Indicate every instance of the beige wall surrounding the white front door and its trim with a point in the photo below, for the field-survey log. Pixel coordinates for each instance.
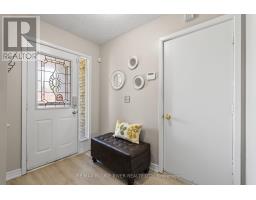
(62, 38)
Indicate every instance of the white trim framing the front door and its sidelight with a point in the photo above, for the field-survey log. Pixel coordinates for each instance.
(24, 100)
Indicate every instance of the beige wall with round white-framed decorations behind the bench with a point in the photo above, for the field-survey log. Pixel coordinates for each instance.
(144, 43)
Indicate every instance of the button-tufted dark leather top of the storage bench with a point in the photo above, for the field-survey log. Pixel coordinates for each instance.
(122, 146)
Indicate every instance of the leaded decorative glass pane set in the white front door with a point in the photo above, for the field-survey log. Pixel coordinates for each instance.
(53, 82)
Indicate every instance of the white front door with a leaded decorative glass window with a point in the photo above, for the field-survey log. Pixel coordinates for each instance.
(51, 106)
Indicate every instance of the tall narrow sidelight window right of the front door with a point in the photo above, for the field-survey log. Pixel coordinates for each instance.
(83, 99)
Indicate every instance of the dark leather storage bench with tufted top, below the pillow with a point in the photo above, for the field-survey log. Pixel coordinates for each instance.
(121, 156)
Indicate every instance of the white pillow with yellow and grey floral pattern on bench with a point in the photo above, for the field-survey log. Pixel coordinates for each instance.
(130, 132)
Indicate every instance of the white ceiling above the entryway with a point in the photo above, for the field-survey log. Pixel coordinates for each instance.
(98, 28)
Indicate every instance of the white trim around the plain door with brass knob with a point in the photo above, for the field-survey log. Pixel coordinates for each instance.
(237, 104)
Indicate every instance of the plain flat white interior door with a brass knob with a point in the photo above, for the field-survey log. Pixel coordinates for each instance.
(198, 94)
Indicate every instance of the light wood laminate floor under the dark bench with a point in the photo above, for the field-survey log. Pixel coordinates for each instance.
(80, 170)
